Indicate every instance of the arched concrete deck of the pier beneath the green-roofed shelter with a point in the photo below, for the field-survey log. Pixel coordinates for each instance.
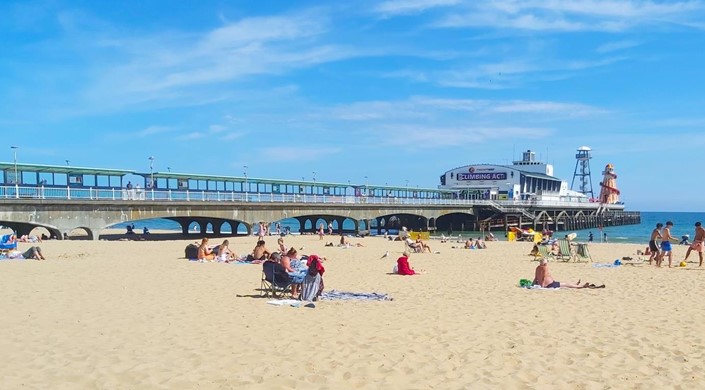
(61, 216)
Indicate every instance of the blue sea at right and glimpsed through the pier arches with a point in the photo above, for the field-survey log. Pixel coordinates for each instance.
(683, 223)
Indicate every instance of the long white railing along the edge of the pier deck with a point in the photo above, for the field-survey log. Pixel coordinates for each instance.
(117, 194)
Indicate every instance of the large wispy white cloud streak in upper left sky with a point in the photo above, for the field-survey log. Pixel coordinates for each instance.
(177, 67)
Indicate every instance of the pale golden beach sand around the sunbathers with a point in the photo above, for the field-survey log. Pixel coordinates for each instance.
(137, 315)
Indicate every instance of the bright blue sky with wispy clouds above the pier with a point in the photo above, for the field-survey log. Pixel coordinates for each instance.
(393, 90)
